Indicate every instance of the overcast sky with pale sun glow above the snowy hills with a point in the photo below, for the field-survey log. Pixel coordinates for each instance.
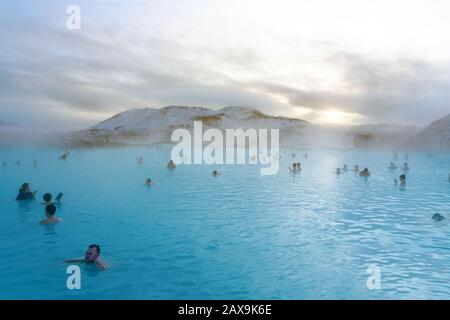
(331, 62)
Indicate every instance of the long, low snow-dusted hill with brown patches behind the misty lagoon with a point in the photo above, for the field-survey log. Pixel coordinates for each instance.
(147, 125)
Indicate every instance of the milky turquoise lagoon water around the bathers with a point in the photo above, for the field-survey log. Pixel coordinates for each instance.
(237, 236)
